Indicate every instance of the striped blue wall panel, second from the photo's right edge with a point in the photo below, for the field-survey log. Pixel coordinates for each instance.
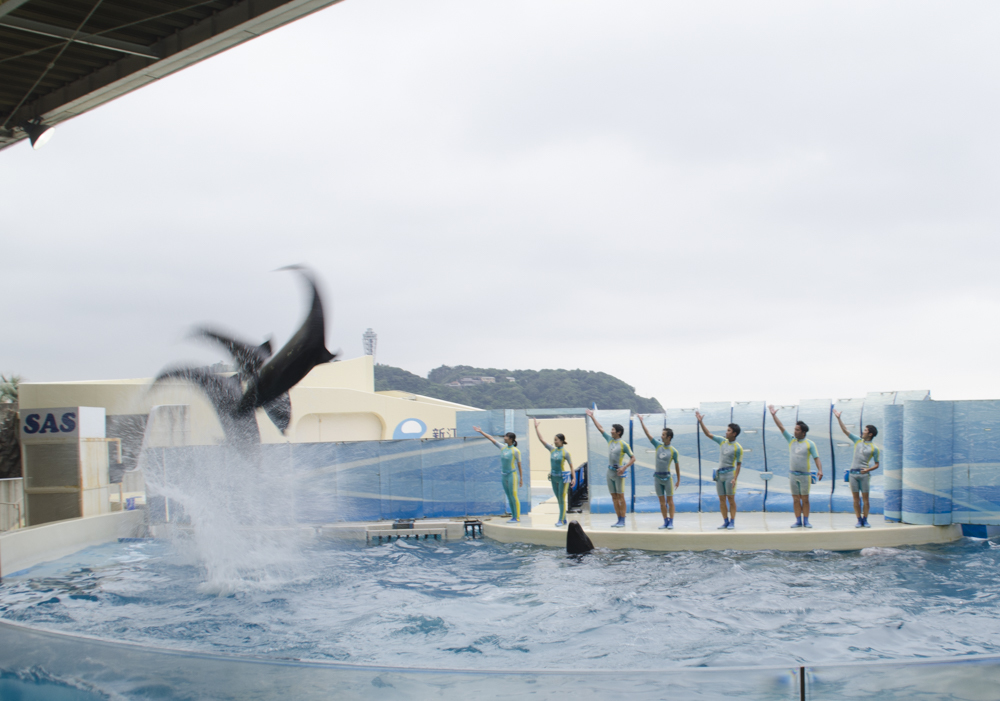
(927, 462)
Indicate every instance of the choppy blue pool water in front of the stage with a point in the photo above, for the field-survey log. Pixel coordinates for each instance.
(477, 603)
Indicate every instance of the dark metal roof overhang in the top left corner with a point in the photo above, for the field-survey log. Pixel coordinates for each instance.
(61, 58)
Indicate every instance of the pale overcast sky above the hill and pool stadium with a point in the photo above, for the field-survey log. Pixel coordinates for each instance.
(711, 200)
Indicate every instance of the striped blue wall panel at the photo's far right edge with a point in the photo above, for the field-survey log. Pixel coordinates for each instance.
(976, 466)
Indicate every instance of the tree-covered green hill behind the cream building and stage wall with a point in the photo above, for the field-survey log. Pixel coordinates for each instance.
(531, 389)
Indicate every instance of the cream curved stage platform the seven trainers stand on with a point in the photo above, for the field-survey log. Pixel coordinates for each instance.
(699, 531)
